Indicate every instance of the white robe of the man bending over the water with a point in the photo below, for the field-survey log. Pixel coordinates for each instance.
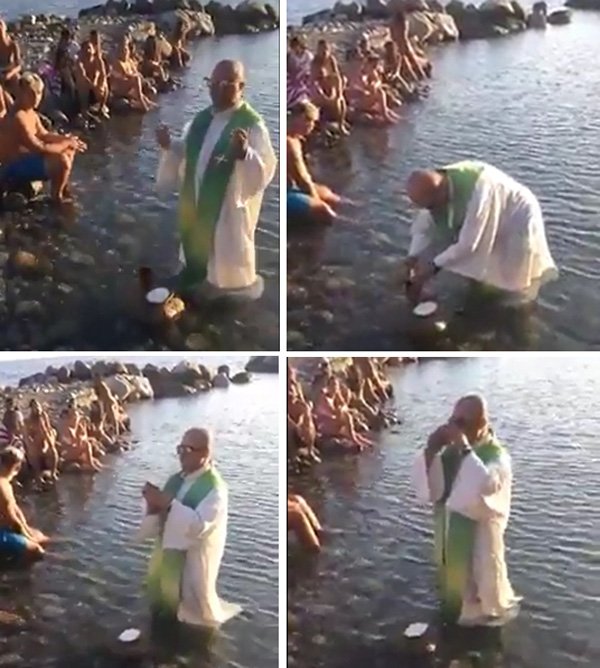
(502, 241)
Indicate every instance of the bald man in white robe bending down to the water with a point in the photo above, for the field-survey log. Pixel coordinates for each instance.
(479, 223)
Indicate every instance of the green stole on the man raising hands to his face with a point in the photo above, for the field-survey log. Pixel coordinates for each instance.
(455, 533)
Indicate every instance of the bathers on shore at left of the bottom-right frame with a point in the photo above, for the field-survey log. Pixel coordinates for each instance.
(336, 412)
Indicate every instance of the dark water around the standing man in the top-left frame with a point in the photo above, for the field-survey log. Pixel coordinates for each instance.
(93, 252)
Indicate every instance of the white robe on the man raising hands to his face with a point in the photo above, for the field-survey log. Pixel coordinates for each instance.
(481, 493)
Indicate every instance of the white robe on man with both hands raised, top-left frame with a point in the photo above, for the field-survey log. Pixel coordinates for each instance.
(232, 264)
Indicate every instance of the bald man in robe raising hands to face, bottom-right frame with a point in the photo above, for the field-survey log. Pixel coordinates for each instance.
(466, 474)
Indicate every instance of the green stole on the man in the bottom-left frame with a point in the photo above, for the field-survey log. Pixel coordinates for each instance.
(165, 571)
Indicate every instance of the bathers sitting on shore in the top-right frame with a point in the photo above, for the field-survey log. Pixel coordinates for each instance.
(370, 87)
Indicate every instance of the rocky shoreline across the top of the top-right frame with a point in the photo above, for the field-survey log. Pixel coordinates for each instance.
(429, 21)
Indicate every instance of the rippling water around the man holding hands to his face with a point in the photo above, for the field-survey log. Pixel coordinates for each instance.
(350, 605)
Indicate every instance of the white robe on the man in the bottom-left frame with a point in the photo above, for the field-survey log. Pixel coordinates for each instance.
(202, 533)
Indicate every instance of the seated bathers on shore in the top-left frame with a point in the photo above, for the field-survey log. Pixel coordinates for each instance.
(85, 82)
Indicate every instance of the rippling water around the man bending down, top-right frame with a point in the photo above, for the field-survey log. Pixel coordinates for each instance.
(524, 104)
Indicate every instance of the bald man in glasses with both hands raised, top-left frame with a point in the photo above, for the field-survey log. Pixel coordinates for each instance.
(223, 163)
